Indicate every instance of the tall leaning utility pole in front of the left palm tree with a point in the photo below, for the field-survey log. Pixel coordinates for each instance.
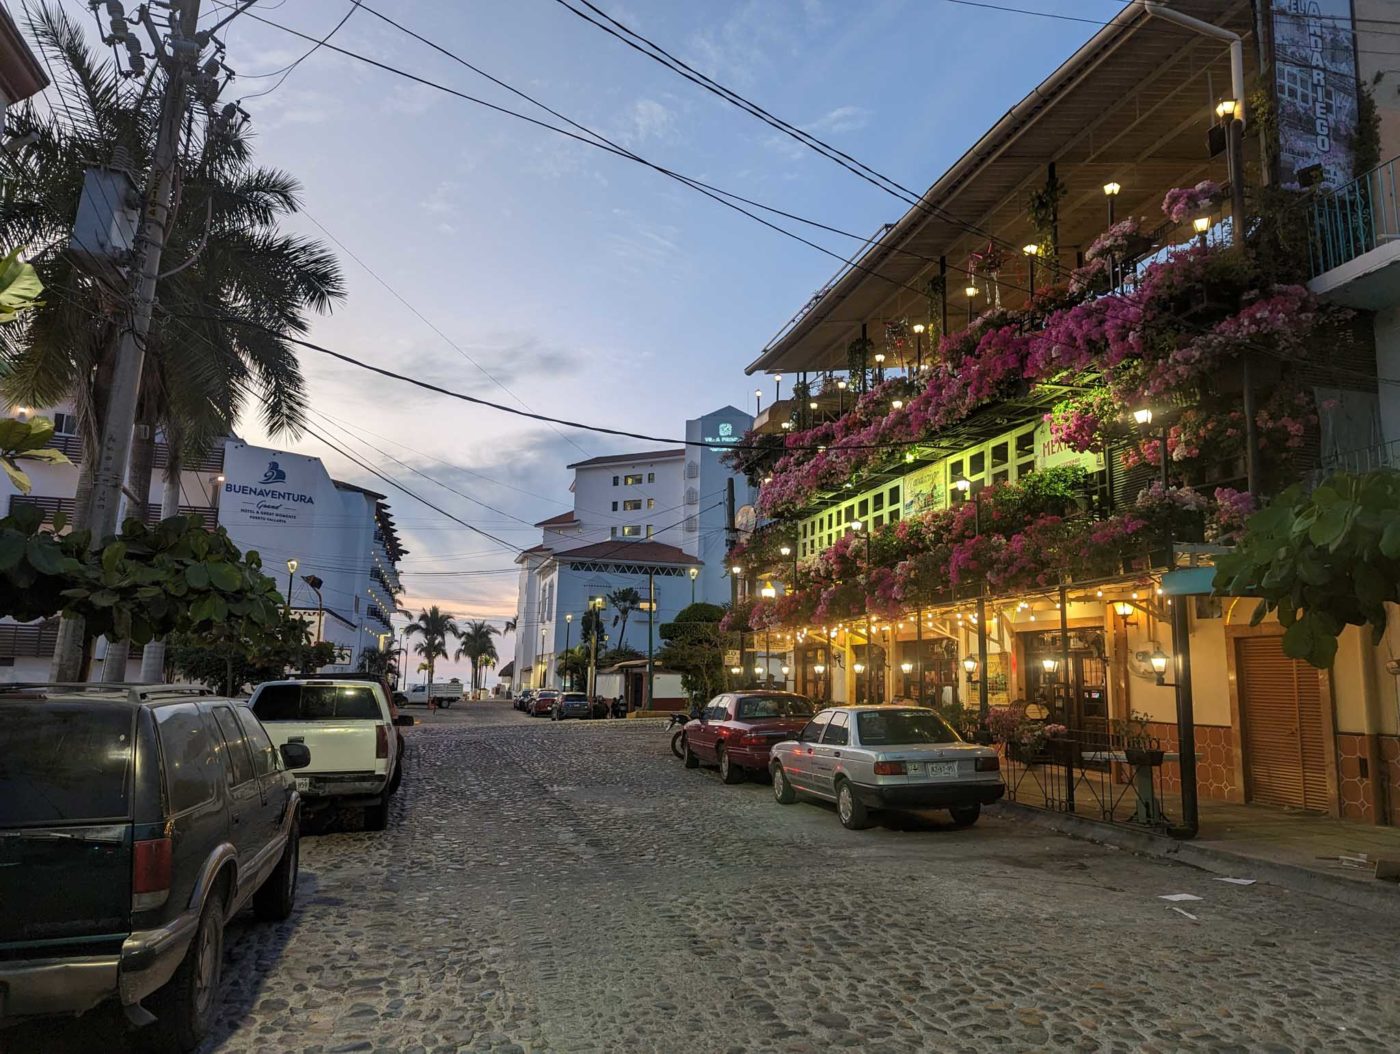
(180, 62)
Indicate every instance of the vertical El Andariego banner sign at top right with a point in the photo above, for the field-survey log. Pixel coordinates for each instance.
(1315, 79)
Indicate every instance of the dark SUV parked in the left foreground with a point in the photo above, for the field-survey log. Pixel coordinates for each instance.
(134, 824)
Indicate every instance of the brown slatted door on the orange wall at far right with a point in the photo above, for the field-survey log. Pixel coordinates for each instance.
(1284, 734)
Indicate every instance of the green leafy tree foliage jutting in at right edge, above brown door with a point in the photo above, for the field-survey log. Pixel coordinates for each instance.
(1322, 562)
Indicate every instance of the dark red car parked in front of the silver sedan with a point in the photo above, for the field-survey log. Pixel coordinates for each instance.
(737, 730)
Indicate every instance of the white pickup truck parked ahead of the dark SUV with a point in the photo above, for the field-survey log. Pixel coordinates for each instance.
(349, 726)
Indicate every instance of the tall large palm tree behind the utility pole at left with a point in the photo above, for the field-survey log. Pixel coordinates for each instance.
(232, 290)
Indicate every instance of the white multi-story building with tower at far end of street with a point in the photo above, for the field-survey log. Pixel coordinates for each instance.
(652, 520)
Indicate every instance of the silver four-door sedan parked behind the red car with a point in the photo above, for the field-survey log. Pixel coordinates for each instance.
(887, 758)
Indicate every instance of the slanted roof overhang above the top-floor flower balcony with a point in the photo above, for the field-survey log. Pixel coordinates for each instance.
(1130, 107)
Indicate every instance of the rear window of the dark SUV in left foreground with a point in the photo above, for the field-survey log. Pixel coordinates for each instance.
(65, 762)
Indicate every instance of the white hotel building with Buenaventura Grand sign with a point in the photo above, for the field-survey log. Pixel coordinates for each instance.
(283, 506)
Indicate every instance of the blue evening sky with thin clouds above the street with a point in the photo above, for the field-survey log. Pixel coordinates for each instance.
(589, 286)
